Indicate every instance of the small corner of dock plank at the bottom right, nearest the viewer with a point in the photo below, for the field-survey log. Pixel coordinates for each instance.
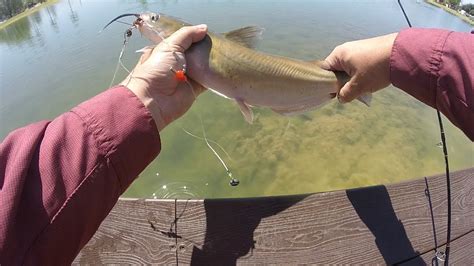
(461, 252)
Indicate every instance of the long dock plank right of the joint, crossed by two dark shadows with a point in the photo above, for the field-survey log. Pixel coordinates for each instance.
(383, 225)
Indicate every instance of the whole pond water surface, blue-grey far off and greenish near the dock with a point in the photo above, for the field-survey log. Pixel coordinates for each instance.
(54, 59)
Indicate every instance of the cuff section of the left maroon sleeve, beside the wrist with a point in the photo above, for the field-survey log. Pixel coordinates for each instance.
(125, 131)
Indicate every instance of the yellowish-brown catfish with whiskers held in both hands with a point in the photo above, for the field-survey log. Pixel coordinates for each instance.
(228, 65)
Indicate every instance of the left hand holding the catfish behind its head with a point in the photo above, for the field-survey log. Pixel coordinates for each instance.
(155, 84)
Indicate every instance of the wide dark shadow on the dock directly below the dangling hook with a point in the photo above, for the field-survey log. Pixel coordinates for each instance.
(230, 226)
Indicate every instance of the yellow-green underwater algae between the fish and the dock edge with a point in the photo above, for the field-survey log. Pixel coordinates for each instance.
(336, 147)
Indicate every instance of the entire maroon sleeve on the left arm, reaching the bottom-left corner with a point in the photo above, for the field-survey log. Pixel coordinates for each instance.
(59, 179)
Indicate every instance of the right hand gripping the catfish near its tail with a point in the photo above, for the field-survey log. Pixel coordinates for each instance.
(367, 62)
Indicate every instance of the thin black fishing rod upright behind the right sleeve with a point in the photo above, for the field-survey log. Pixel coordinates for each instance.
(439, 254)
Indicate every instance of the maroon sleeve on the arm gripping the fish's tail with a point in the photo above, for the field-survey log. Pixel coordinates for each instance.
(437, 68)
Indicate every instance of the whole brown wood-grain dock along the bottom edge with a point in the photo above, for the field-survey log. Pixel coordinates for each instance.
(391, 224)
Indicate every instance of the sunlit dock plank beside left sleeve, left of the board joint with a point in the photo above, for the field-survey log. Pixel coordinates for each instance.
(127, 236)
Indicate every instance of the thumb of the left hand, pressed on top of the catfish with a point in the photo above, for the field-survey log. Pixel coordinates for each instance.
(186, 36)
